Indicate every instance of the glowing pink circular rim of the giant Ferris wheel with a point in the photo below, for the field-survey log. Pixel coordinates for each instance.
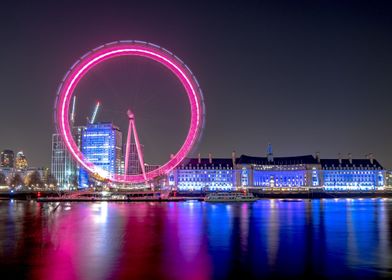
(127, 48)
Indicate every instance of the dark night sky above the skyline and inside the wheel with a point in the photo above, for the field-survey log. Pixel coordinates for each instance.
(306, 76)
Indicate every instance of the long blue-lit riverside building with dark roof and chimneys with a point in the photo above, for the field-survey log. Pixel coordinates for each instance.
(280, 172)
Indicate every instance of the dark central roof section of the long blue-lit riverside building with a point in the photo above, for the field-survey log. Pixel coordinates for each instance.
(307, 159)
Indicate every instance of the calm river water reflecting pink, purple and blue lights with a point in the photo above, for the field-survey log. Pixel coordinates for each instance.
(271, 238)
